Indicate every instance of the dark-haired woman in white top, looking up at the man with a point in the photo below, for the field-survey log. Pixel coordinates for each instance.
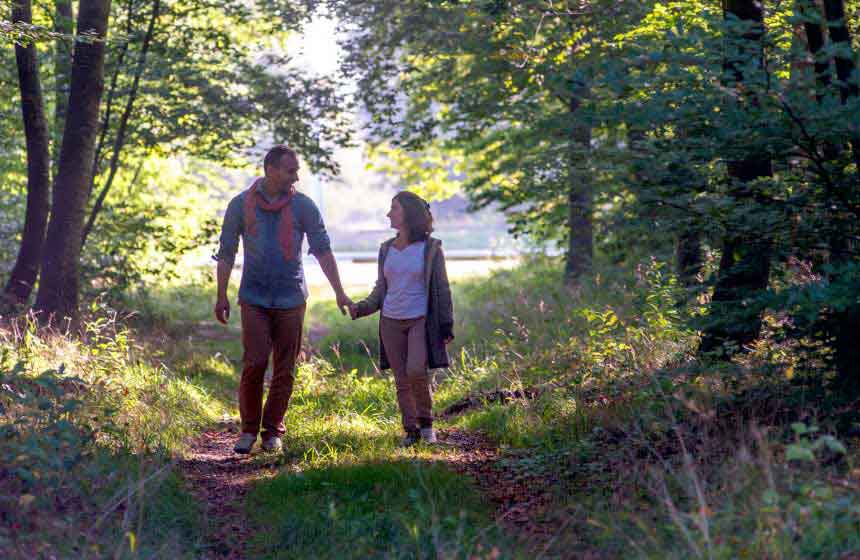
(417, 319)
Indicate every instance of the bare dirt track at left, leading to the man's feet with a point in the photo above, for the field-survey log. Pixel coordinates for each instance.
(220, 479)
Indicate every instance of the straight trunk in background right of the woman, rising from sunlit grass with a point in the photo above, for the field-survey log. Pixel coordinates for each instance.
(580, 204)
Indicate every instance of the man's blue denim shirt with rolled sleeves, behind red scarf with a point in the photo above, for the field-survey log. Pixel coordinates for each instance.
(268, 279)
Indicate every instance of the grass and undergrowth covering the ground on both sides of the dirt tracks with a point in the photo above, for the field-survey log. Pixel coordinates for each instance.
(648, 451)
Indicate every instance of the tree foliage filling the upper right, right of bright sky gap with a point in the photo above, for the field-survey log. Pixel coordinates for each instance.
(673, 97)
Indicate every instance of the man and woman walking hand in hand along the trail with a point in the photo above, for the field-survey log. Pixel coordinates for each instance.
(411, 291)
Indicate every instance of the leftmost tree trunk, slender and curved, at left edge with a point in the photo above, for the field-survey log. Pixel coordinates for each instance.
(26, 268)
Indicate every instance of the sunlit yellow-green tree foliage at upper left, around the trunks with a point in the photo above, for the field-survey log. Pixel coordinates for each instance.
(208, 87)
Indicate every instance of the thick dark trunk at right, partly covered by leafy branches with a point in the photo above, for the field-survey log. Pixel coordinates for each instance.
(745, 264)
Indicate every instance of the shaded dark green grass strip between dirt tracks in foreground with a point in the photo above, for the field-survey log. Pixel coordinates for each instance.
(390, 509)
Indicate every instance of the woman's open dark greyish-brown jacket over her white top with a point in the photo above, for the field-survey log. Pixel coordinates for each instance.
(440, 309)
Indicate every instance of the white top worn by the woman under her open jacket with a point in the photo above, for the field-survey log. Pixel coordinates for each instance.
(405, 297)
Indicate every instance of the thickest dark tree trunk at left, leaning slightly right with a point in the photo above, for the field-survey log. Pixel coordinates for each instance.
(58, 290)
